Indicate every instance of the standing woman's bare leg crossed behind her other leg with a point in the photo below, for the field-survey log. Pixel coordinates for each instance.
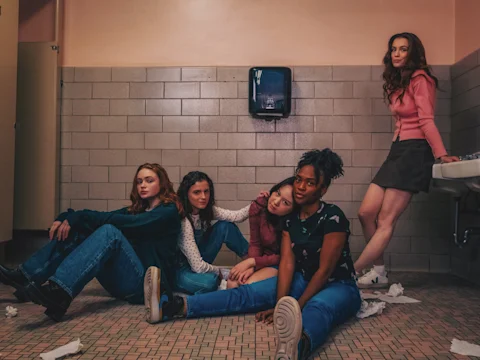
(368, 213)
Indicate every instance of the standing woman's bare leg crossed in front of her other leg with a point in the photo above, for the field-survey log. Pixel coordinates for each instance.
(394, 203)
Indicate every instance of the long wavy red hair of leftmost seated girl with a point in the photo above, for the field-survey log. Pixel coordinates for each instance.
(166, 194)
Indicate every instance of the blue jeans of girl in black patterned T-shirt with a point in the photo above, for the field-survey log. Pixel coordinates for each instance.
(333, 305)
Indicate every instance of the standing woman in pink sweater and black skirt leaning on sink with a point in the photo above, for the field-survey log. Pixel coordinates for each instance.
(409, 89)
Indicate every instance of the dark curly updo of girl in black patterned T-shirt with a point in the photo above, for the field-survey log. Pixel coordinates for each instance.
(326, 164)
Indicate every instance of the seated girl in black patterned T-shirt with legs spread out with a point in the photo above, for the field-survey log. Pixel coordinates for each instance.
(315, 269)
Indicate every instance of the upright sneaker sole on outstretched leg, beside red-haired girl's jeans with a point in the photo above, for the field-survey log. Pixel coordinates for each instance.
(151, 293)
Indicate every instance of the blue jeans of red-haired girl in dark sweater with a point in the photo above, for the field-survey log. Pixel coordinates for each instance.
(106, 254)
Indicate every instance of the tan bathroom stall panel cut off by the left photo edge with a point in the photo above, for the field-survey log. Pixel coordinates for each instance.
(8, 85)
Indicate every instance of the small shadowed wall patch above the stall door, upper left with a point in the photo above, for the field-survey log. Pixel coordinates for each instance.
(36, 21)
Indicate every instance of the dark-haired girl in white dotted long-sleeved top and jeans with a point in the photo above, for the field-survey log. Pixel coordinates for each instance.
(200, 241)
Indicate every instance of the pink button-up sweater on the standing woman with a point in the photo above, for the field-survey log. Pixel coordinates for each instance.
(414, 116)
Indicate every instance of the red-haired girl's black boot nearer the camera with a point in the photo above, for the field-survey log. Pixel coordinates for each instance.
(51, 296)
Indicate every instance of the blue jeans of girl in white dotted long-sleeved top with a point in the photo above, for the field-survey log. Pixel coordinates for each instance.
(223, 232)
